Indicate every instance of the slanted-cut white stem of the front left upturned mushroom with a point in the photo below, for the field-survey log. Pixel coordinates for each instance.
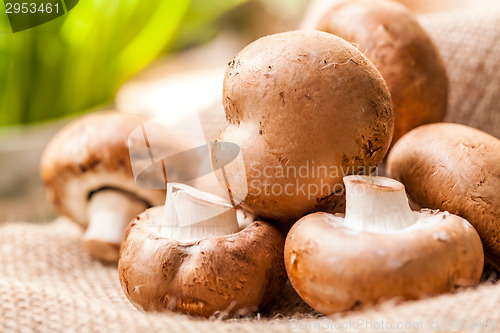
(192, 215)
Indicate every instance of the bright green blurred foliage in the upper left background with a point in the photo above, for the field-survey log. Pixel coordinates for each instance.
(78, 61)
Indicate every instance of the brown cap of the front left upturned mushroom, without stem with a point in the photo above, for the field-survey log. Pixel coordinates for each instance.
(232, 273)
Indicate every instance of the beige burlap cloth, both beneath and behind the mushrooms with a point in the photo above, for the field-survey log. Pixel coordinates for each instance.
(48, 284)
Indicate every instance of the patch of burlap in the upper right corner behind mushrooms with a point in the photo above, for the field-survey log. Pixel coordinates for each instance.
(469, 43)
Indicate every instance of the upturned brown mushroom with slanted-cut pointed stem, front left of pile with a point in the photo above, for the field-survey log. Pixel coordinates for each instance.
(192, 256)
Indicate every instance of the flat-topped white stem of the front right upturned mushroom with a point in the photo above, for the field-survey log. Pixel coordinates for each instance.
(377, 204)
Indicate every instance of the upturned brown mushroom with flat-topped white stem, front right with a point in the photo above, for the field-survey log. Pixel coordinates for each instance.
(381, 250)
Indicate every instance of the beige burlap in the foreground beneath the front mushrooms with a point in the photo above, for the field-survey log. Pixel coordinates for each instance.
(48, 284)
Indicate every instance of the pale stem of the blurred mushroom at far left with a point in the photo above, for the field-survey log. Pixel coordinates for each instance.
(109, 212)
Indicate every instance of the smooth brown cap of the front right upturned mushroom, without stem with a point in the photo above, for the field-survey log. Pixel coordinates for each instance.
(335, 269)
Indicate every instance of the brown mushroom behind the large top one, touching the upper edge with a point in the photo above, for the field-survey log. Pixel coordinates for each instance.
(403, 53)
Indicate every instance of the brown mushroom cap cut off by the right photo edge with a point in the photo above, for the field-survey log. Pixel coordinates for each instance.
(455, 168)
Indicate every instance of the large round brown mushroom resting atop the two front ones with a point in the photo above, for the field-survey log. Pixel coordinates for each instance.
(303, 99)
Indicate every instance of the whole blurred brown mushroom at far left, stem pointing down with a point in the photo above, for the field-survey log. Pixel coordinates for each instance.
(88, 177)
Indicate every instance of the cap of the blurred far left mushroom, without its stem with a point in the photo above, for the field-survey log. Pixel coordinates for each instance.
(88, 155)
